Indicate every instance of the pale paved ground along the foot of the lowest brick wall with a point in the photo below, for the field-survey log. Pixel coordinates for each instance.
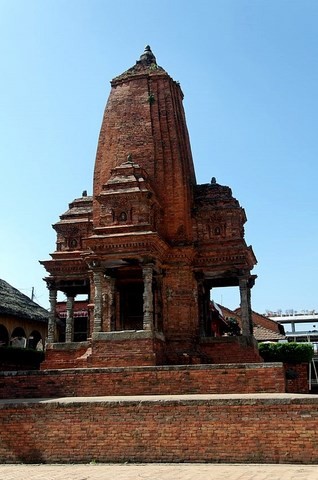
(167, 471)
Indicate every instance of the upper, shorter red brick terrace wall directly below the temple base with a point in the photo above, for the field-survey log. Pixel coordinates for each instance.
(177, 380)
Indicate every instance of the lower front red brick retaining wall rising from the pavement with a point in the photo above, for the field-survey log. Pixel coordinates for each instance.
(250, 429)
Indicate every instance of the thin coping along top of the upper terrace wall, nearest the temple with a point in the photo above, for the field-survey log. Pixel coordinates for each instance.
(157, 369)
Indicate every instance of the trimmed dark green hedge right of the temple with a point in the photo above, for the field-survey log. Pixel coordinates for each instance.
(291, 352)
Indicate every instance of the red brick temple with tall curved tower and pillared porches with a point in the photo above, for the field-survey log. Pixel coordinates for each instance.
(146, 250)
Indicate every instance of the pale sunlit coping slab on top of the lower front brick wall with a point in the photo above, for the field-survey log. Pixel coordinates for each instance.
(195, 399)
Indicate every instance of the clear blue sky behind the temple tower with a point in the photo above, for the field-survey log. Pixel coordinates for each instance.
(248, 69)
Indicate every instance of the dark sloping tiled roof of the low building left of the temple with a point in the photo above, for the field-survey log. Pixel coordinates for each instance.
(15, 303)
